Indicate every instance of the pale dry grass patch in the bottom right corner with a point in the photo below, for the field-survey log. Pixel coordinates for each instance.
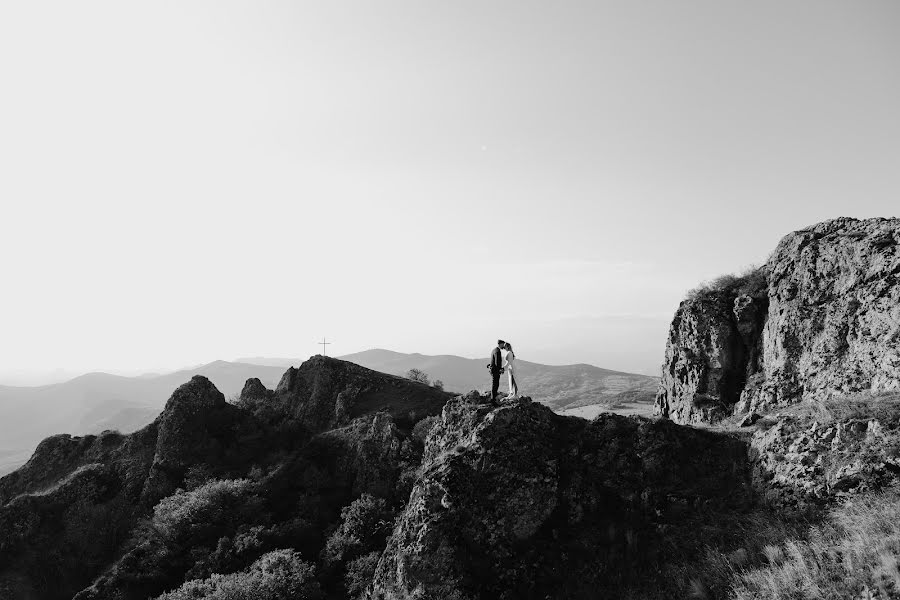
(854, 553)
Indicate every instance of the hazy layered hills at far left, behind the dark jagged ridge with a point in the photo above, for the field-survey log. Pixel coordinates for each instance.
(97, 401)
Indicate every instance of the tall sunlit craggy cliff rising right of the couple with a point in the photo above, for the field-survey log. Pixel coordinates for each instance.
(826, 323)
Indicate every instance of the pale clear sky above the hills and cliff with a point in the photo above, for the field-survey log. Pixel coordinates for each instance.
(184, 181)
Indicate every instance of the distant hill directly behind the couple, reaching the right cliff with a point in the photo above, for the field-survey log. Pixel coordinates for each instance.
(560, 387)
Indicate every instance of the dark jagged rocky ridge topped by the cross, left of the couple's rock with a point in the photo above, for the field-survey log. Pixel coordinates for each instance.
(73, 512)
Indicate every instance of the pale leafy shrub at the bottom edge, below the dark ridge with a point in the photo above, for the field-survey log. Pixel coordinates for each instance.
(278, 575)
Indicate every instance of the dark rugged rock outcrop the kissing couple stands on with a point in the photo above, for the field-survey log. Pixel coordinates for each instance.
(518, 502)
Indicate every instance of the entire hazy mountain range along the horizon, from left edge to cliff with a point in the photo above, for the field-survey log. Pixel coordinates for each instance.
(98, 401)
